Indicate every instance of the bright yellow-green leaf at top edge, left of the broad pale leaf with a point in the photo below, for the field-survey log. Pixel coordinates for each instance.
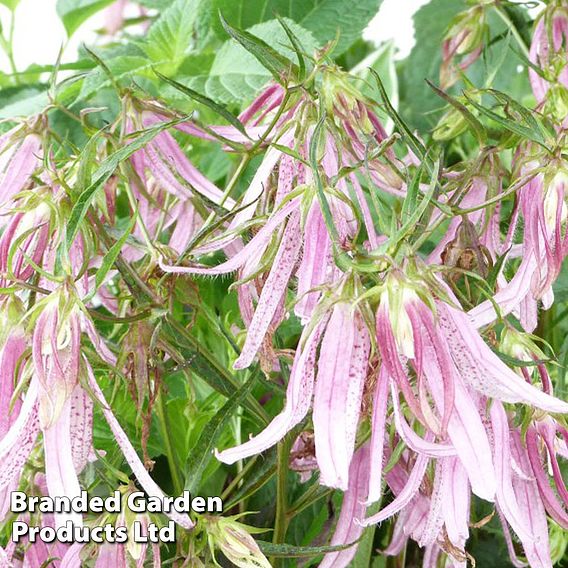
(171, 37)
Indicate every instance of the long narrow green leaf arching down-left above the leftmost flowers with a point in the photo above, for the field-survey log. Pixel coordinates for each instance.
(103, 173)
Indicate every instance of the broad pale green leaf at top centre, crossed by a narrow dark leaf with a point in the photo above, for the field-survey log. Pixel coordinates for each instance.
(236, 75)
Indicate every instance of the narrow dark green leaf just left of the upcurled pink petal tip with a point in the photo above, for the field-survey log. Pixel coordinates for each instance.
(202, 452)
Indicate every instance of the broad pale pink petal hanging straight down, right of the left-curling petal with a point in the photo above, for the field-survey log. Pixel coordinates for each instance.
(342, 369)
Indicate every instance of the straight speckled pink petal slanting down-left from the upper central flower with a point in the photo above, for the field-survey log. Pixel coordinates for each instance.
(273, 290)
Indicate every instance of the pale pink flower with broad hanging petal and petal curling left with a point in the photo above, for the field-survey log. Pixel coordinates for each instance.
(342, 368)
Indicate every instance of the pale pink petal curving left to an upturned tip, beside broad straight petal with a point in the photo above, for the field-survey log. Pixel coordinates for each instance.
(298, 400)
